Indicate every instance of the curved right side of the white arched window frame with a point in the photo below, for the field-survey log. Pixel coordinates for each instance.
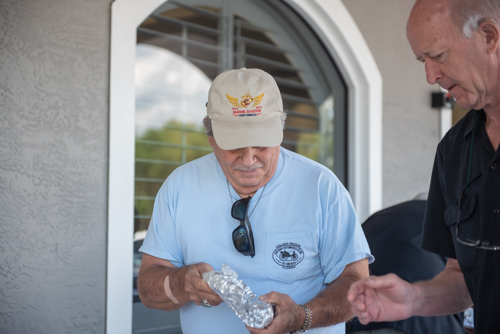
(338, 31)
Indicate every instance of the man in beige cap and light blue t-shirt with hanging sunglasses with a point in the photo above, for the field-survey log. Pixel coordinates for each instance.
(294, 238)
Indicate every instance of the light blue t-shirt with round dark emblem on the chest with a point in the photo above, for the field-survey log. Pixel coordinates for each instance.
(305, 231)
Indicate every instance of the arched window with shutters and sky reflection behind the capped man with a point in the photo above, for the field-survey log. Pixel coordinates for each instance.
(183, 45)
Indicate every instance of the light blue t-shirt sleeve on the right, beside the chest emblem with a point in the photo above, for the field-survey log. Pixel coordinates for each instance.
(342, 240)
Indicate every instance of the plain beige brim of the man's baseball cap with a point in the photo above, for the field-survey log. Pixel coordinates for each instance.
(231, 135)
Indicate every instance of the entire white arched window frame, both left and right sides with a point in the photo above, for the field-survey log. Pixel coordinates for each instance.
(339, 33)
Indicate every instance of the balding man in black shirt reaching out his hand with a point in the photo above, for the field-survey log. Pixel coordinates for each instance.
(459, 43)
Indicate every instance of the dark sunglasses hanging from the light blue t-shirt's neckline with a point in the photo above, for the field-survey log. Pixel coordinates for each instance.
(242, 235)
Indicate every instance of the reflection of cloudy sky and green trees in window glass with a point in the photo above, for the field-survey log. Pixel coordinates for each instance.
(170, 105)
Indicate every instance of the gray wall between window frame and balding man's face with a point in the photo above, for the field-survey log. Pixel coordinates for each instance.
(410, 126)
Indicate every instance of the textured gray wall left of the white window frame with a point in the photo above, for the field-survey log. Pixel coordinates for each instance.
(54, 69)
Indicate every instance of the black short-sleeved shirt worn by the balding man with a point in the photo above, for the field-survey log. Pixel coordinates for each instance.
(465, 192)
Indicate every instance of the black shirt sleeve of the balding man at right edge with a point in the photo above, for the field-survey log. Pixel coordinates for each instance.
(436, 235)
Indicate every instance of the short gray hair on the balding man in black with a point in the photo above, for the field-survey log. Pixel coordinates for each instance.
(469, 14)
